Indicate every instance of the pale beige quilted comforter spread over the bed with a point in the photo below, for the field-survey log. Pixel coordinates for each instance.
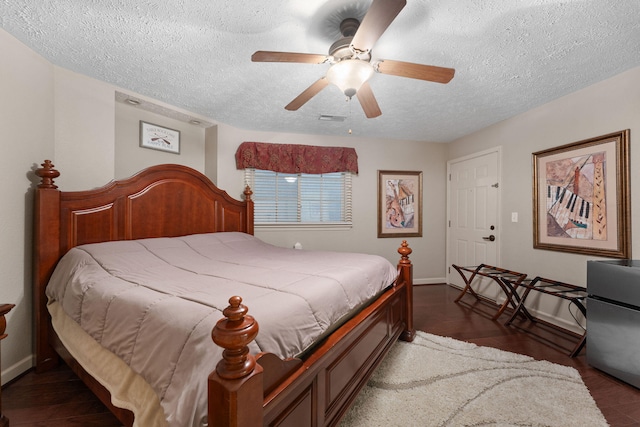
(153, 303)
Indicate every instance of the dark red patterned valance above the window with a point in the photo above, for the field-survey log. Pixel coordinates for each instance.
(292, 158)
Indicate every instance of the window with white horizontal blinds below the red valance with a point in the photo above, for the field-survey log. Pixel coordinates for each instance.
(283, 199)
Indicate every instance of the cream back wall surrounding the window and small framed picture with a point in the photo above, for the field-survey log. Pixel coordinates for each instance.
(373, 154)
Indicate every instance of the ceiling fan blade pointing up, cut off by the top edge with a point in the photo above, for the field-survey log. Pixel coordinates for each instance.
(375, 22)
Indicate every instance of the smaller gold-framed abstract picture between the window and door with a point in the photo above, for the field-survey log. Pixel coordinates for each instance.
(399, 204)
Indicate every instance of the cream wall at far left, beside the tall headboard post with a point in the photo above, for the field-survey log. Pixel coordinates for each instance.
(27, 123)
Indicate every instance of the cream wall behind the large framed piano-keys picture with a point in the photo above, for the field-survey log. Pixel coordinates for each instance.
(608, 106)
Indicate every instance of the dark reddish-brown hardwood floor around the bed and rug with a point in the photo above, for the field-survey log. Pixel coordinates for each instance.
(58, 398)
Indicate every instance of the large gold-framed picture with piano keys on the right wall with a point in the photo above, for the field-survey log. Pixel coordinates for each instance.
(581, 197)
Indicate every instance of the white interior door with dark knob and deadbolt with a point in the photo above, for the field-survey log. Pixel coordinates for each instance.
(473, 206)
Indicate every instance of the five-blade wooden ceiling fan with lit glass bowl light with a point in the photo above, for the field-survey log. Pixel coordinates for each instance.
(350, 57)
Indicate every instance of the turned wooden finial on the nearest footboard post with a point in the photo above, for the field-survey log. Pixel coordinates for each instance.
(233, 333)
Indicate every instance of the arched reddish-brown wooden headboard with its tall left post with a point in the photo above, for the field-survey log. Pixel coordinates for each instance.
(160, 201)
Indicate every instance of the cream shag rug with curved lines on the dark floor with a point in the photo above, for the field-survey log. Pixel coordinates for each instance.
(439, 381)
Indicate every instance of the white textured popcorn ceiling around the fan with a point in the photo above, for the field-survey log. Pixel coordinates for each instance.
(509, 57)
